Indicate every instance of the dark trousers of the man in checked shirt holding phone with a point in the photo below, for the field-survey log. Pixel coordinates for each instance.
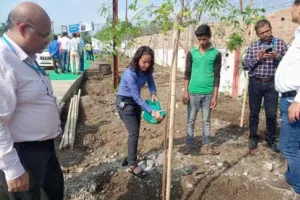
(259, 90)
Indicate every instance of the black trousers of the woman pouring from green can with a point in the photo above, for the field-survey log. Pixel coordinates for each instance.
(130, 114)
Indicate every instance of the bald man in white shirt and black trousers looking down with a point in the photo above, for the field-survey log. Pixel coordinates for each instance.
(29, 115)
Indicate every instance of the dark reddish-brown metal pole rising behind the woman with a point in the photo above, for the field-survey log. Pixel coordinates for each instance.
(115, 18)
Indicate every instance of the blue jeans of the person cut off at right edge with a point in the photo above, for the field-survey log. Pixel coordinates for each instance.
(289, 144)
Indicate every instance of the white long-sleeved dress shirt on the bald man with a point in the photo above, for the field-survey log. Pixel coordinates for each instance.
(28, 109)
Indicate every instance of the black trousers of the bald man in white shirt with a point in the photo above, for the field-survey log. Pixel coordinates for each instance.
(40, 162)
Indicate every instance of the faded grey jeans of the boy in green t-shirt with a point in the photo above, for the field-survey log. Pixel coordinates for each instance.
(196, 103)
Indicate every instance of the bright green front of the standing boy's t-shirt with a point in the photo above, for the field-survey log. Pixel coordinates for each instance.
(202, 73)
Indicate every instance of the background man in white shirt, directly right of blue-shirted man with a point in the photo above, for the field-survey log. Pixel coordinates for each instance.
(65, 56)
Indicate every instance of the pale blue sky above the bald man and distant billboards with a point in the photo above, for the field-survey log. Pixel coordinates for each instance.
(66, 12)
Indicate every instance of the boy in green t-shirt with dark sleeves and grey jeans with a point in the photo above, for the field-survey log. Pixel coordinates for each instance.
(202, 80)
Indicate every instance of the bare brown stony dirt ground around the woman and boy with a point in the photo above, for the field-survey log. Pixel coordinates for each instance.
(93, 169)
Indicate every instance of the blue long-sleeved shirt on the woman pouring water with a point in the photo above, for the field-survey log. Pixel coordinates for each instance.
(131, 84)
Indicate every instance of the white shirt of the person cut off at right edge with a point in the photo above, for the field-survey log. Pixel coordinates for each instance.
(287, 77)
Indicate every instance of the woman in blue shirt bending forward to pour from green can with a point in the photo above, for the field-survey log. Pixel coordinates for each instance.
(130, 104)
